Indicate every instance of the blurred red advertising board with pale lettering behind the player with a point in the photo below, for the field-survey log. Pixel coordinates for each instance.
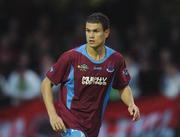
(159, 117)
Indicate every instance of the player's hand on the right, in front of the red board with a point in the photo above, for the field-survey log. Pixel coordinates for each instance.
(134, 111)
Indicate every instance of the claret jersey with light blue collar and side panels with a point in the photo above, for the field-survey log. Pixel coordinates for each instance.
(86, 85)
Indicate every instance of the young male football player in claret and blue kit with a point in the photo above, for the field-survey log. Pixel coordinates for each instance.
(86, 75)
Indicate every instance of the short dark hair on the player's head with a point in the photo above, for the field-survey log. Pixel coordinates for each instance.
(98, 17)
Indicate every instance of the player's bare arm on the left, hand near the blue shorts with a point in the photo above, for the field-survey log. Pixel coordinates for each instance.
(47, 94)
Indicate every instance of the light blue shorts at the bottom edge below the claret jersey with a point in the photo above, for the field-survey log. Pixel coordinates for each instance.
(72, 133)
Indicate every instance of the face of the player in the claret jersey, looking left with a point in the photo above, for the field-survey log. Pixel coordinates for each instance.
(95, 35)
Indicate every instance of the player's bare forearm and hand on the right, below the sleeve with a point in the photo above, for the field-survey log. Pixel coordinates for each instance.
(127, 98)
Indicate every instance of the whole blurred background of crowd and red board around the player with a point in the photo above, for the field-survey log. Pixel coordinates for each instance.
(34, 33)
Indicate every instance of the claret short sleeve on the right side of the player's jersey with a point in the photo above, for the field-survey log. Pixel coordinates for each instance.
(122, 76)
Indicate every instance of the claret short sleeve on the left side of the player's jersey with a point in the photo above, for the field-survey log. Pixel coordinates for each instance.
(58, 72)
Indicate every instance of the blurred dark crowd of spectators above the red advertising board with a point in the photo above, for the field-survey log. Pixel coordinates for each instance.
(34, 33)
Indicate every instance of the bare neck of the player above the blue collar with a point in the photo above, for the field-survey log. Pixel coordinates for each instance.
(96, 53)
